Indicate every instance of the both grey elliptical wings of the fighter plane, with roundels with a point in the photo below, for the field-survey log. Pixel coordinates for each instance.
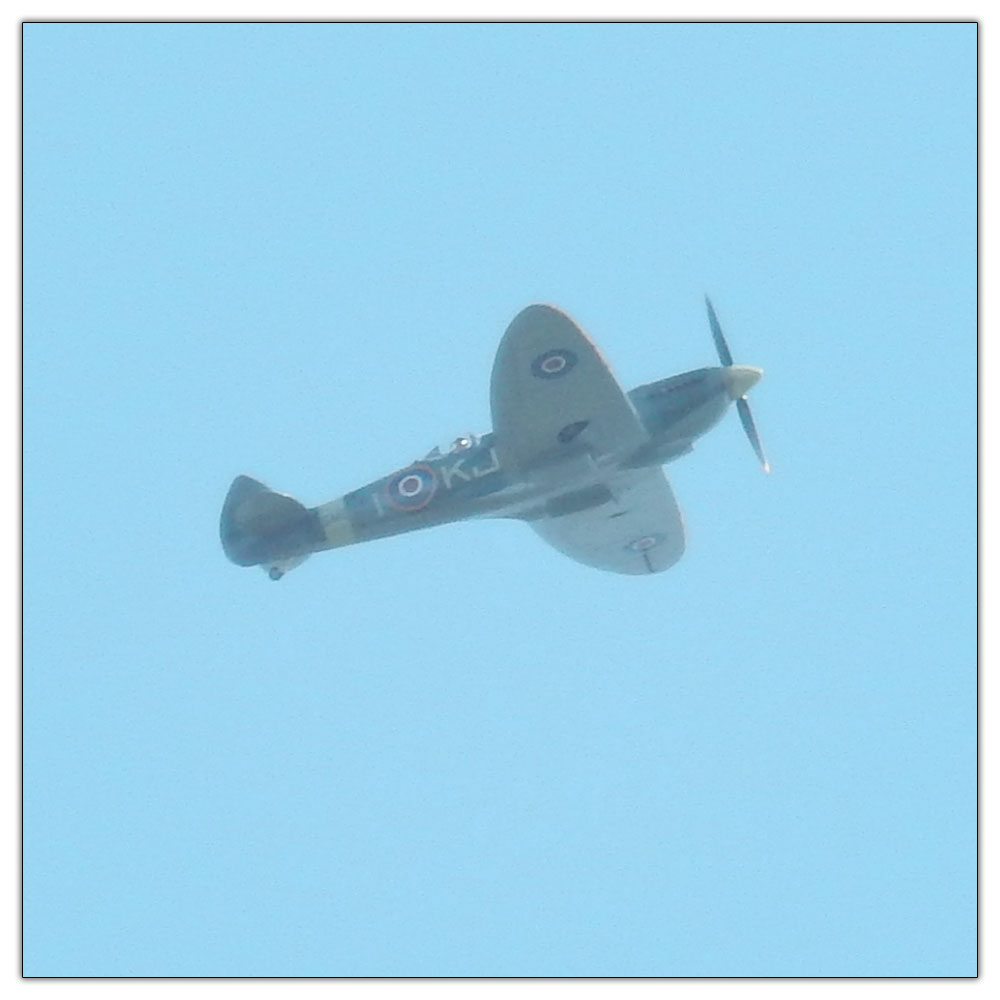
(563, 426)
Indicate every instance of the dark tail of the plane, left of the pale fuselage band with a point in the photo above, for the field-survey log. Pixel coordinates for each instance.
(261, 527)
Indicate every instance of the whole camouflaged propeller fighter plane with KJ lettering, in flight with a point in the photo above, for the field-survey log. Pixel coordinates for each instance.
(571, 453)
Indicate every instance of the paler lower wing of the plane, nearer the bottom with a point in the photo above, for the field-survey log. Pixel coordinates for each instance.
(635, 527)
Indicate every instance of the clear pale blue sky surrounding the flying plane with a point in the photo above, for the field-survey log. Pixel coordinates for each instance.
(290, 251)
